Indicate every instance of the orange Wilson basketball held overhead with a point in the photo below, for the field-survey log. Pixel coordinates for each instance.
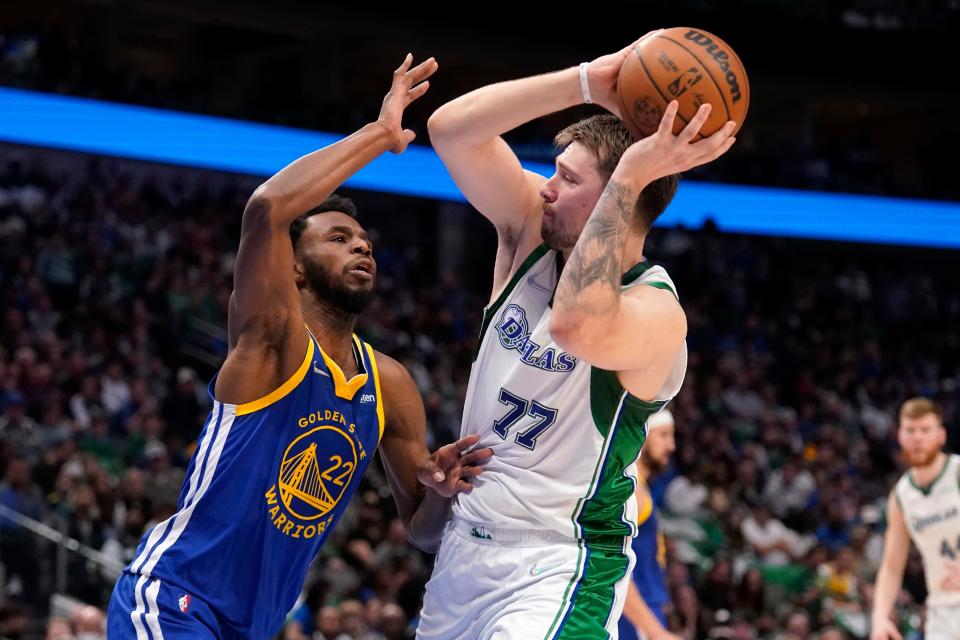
(687, 65)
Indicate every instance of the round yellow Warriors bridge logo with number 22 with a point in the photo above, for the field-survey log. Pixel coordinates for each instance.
(314, 475)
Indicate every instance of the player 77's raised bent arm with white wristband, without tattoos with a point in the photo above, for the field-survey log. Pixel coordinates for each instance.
(466, 133)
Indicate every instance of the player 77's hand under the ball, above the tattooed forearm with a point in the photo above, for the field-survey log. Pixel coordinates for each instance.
(663, 154)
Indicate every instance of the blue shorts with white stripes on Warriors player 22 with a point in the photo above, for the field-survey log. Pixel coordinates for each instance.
(143, 608)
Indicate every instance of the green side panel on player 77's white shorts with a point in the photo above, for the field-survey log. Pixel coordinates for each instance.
(588, 610)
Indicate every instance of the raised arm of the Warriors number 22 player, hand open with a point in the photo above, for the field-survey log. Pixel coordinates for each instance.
(265, 327)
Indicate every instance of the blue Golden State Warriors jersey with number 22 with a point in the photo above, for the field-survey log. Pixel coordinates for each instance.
(267, 482)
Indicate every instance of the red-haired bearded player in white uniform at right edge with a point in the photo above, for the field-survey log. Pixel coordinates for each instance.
(924, 506)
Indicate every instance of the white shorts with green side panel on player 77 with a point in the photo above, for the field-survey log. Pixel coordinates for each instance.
(509, 584)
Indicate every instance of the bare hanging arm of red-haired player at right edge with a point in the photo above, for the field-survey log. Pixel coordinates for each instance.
(896, 547)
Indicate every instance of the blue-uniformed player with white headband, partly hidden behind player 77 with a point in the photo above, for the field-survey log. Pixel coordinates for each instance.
(647, 595)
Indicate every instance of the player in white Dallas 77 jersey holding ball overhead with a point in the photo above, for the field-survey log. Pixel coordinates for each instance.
(582, 341)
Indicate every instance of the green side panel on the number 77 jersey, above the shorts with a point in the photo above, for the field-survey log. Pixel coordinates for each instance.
(621, 419)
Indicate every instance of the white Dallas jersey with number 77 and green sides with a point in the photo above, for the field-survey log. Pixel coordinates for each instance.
(565, 435)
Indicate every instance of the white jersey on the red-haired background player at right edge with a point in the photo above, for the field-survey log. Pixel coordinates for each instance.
(932, 517)
